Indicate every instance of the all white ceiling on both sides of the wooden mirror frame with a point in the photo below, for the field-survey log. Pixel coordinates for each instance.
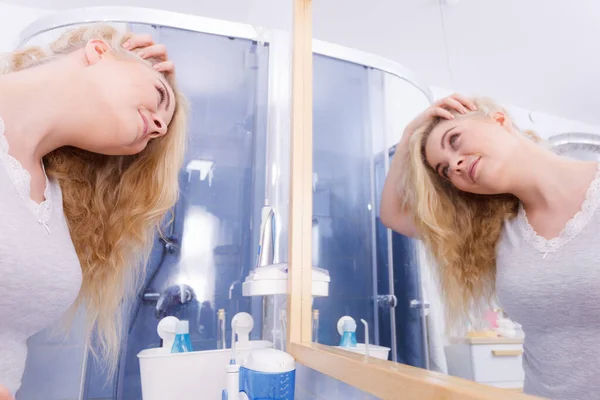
(539, 54)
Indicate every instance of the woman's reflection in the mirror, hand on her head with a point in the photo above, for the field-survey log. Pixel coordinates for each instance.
(503, 215)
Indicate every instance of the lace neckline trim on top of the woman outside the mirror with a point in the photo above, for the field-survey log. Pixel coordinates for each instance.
(22, 182)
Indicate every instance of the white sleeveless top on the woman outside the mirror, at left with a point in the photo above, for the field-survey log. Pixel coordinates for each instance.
(40, 274)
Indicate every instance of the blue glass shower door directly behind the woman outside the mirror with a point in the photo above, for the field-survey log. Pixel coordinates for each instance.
(212, 240)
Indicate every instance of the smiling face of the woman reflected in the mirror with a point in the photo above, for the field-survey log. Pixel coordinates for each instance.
(474, 153)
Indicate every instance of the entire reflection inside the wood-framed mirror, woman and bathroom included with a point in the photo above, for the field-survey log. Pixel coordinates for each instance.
(511, 269)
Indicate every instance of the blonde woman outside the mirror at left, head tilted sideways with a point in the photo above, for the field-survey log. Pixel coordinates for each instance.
(92, 133)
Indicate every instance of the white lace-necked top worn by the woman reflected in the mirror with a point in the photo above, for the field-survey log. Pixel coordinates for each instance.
(552, 288)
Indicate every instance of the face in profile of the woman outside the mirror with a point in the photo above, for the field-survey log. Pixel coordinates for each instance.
(132, 102)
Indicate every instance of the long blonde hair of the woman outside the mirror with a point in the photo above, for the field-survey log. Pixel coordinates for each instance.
(114, 205)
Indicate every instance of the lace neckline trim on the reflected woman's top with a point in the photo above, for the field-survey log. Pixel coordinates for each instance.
(572, 228)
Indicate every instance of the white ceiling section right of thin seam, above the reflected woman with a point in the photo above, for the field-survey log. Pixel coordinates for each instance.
(543, 54)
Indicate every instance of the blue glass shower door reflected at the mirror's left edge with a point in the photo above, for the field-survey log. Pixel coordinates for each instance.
(342, 209)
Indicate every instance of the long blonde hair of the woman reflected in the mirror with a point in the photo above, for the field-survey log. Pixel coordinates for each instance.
(460, 229)
